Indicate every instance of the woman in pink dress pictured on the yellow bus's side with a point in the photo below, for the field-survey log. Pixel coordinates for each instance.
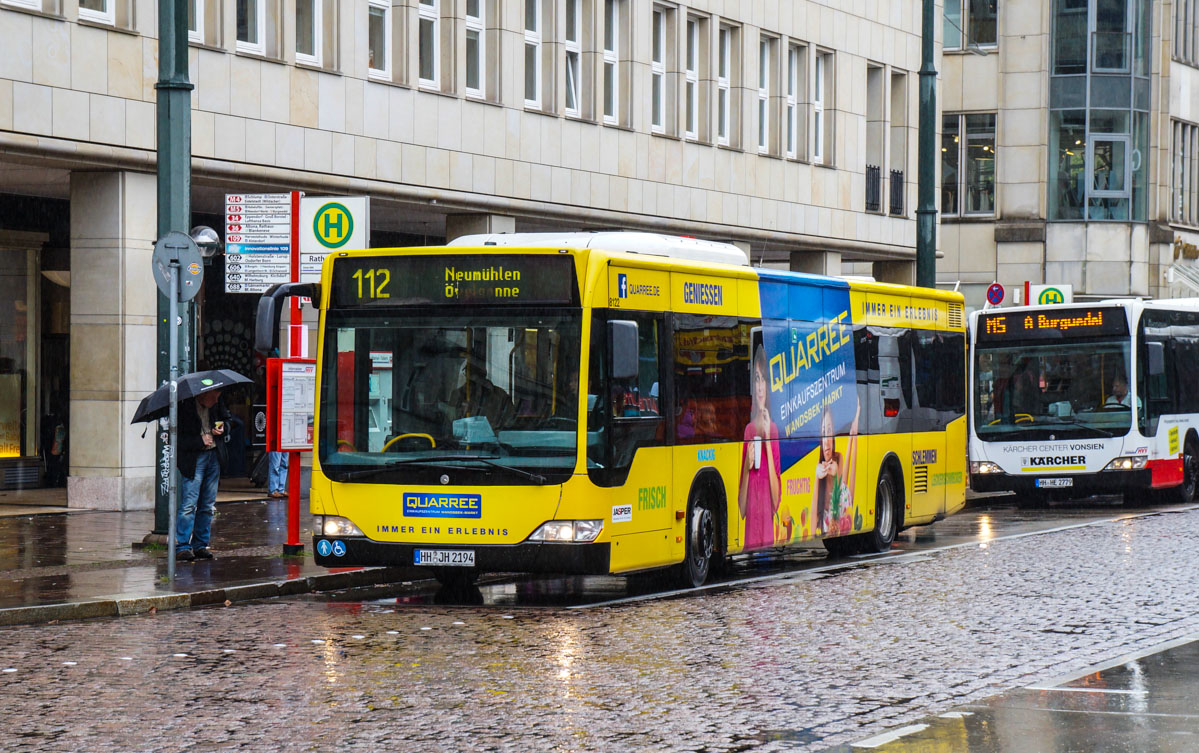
(761, 489)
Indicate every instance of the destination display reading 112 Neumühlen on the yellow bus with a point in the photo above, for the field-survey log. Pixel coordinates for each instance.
(451, 280)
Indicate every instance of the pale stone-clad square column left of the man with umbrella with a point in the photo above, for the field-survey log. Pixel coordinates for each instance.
(113, 309)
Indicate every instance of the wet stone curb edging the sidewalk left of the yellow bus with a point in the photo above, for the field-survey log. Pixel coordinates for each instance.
(128, 606)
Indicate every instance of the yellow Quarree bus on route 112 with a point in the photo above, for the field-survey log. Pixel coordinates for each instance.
(617, 403)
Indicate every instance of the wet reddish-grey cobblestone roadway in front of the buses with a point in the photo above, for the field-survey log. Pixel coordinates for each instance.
(802, 664)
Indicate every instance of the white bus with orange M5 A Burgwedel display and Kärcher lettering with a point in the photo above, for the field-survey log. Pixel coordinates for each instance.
(1077, 400)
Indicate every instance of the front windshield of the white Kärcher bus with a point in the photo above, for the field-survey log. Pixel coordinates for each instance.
(1071, 390)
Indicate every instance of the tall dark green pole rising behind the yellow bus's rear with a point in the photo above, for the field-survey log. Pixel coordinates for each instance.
(926, 207)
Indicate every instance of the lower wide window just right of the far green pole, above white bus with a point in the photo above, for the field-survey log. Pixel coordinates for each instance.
(969, 141)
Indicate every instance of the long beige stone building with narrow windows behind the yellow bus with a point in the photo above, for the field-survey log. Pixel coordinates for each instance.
(785, 126)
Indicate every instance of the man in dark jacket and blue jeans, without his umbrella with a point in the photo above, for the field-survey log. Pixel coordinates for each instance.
(202, 427)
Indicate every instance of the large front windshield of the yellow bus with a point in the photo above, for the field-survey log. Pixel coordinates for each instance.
(483, 397)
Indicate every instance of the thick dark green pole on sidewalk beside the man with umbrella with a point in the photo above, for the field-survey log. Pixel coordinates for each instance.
(174, 119)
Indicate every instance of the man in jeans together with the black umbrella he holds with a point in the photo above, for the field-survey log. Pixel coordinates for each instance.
(202, 436)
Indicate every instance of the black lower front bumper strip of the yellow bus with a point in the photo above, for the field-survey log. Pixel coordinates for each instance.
(586, 559)
